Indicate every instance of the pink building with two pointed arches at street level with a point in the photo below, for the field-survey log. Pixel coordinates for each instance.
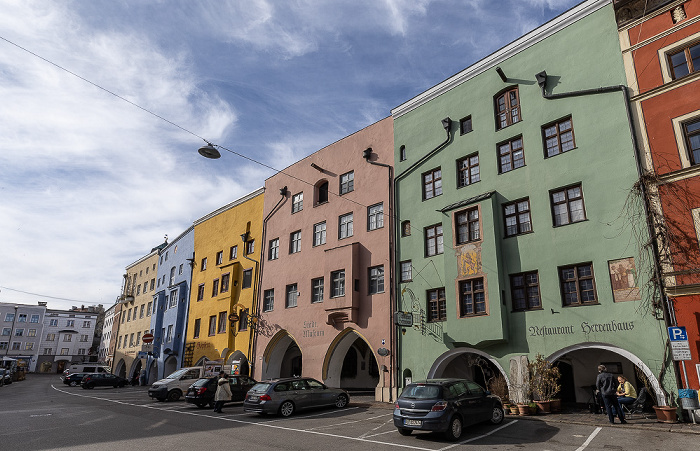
(326, 290)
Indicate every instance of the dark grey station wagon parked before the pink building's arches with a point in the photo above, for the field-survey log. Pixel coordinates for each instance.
(285, 396)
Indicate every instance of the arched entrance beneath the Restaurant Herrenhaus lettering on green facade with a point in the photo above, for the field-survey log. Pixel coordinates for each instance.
(584, 359)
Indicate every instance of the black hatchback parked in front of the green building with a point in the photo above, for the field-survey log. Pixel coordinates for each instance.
(445, 405)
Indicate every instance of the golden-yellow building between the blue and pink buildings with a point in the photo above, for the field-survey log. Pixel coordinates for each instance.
(227, 244)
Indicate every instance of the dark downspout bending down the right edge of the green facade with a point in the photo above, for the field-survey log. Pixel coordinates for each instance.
(668, 310)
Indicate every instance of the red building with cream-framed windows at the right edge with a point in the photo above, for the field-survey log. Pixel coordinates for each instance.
(660, 43)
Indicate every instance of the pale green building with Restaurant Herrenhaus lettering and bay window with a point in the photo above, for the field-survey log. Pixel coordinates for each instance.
(519, 232)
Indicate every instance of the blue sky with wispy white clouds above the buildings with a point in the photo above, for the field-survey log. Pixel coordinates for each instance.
(104, 103)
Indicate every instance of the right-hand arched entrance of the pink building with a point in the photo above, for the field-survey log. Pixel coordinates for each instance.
(350, 363)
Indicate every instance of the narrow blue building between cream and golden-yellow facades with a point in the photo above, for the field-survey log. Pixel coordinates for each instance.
(170, 306)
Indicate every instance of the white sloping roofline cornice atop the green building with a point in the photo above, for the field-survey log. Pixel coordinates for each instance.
(535, 36)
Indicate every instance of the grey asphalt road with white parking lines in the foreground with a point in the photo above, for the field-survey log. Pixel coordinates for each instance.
(41, 413)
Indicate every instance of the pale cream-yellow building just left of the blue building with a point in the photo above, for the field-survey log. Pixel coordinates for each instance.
(134, 320)
